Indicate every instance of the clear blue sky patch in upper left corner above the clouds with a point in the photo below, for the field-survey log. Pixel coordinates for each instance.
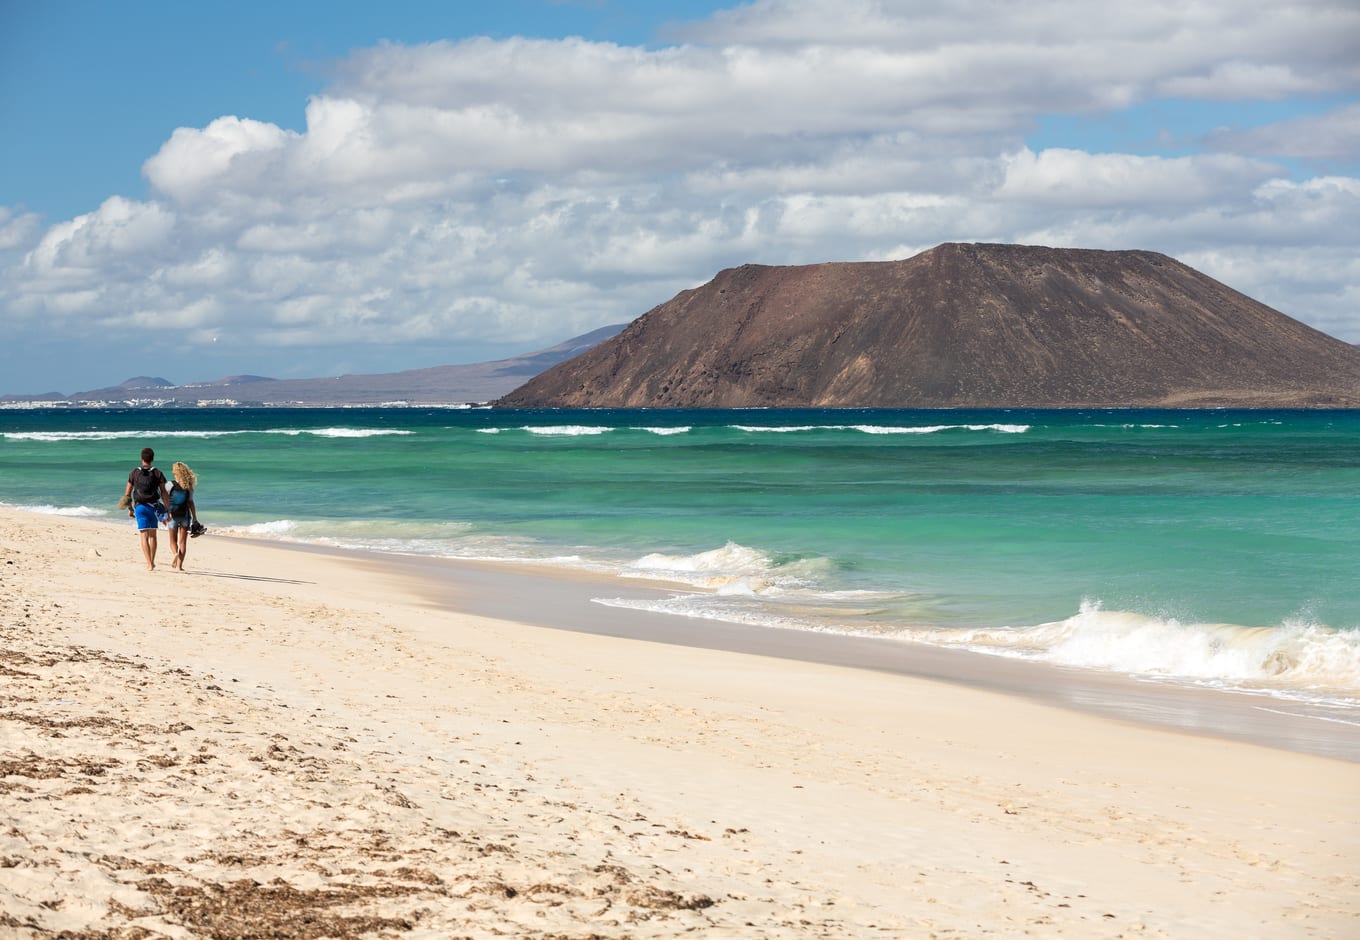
(92, 89)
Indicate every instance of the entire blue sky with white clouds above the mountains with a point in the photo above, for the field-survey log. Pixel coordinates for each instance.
(305, 190)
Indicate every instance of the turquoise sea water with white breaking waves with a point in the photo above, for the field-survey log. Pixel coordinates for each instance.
(1215, 548)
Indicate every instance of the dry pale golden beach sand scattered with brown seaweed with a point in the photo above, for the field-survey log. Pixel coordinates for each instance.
(282, 743)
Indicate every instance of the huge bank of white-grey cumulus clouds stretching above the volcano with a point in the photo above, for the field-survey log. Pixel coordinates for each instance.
(520, 191)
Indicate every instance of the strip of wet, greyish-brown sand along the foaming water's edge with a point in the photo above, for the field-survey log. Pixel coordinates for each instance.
(562, 599)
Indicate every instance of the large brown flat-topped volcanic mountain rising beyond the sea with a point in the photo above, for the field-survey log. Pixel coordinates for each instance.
(961, 327)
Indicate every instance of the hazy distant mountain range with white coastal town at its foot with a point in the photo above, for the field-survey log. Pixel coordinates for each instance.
(474, 383)
